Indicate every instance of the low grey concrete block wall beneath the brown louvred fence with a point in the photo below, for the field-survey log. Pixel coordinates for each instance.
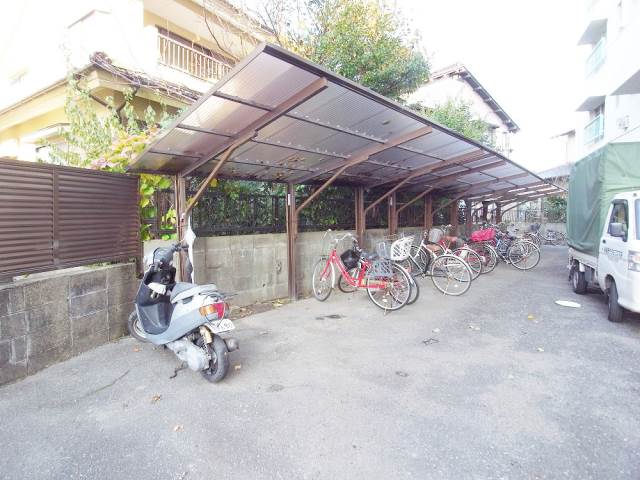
(50, 317)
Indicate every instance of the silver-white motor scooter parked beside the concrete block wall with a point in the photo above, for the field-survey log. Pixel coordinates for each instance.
(186, 318)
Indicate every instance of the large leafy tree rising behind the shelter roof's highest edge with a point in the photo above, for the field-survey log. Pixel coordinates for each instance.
(364, 40)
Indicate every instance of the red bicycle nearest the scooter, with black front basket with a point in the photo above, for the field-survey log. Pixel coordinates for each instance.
(388, 285)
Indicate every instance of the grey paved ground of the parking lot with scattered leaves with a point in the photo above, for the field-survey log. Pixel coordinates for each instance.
(499, 383)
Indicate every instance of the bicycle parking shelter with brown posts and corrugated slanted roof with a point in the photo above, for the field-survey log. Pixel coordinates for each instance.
(278, 117)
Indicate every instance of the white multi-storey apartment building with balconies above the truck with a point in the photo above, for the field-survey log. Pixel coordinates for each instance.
(608, 109)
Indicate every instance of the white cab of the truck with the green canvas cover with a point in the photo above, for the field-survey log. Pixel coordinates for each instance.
(618, 264)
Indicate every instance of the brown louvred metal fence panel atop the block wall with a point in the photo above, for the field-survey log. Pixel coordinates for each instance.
(56, 217)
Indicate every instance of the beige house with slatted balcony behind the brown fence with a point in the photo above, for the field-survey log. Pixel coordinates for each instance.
(166, 51)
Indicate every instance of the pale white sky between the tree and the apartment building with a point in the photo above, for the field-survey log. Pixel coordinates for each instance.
(524, 53)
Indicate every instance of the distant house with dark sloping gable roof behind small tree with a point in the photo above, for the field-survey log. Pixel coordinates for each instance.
(456, 82)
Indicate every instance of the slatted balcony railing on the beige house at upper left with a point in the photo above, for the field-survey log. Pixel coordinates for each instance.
(189, 60)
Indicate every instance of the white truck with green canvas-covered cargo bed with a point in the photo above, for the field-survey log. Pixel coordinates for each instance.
(603, 227)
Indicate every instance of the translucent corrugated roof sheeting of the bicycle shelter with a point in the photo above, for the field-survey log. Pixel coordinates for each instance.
(340, 119)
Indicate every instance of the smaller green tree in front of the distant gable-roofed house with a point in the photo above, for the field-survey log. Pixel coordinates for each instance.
(456, 115)
